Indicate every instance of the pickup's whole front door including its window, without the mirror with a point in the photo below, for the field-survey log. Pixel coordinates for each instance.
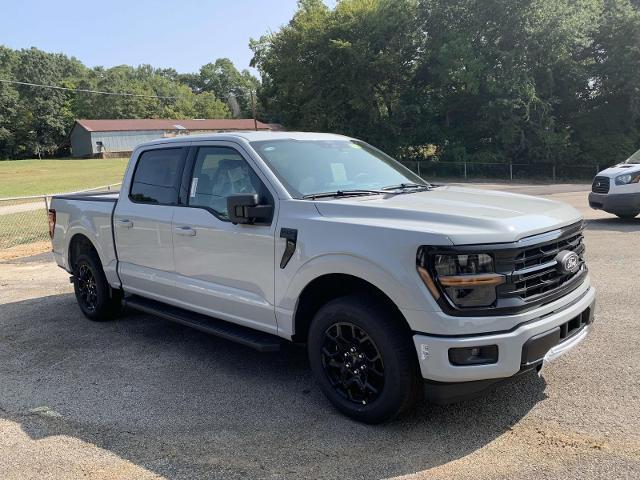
(224, 270)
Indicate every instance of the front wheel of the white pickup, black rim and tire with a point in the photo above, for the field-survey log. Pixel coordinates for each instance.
(391, 384)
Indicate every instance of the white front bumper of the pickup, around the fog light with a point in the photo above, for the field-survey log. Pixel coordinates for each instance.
(519, 349)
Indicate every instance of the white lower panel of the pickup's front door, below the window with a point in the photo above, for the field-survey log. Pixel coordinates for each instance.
(225, 270)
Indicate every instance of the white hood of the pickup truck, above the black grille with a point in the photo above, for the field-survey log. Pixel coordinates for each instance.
(464, 215)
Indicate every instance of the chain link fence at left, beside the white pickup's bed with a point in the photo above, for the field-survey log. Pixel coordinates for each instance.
(25, 220)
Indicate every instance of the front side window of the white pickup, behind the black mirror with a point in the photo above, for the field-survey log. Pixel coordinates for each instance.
(219, 172)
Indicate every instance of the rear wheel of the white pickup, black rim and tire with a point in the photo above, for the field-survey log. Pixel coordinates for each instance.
(97, 300)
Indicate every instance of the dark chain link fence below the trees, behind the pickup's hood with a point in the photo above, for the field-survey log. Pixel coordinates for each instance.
(519, 172)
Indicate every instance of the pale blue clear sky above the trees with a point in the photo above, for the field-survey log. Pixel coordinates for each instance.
(182, 34)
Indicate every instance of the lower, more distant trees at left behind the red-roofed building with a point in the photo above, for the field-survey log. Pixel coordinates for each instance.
(37, 121)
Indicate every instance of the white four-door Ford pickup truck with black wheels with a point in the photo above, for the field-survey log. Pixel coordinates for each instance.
(398, 288)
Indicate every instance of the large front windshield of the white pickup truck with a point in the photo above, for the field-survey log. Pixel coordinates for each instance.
(309, 167)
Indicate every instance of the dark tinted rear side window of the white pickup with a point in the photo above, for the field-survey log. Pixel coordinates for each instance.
(157, 176)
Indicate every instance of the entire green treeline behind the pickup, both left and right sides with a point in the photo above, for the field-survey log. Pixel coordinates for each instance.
(521, 81)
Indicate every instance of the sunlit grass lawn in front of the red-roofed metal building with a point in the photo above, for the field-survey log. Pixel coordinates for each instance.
(35, 177)
